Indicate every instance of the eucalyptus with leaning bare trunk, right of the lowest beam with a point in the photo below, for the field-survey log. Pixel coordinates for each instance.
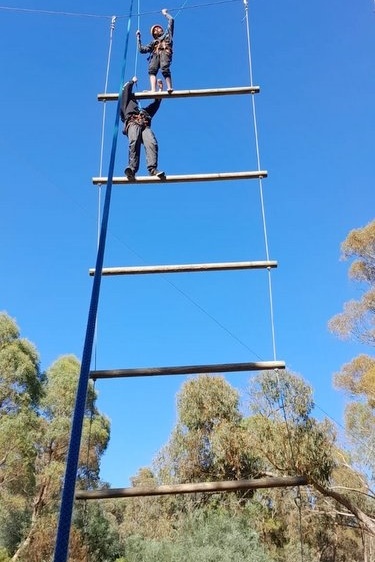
(291, 441)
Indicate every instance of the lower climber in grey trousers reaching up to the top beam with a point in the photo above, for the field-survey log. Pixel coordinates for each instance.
(137, 123)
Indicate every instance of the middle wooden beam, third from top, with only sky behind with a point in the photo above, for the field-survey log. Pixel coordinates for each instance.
(182, 268)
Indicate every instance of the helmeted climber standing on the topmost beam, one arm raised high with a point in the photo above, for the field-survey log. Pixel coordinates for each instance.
(161, 50)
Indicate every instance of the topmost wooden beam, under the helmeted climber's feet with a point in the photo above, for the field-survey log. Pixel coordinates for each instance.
(186, 93)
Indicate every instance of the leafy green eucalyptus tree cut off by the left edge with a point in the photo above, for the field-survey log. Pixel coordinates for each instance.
(21, 387)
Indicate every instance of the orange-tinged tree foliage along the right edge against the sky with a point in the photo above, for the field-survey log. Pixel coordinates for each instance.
(357, 321)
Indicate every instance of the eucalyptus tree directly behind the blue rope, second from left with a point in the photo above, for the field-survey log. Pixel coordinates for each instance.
(51, 446)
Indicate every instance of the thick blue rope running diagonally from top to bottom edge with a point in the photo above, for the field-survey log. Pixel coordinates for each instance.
(67, 498)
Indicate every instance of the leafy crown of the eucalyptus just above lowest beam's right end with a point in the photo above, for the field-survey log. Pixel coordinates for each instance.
(282, 430)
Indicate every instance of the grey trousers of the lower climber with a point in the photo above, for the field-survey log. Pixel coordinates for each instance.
(138, 135)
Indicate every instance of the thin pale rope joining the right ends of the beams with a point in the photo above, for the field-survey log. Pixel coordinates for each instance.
(260, 180)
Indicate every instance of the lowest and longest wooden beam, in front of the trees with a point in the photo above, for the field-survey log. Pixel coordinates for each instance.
(204, 487)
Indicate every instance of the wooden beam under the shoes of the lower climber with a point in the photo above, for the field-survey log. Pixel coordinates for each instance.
(184, 178)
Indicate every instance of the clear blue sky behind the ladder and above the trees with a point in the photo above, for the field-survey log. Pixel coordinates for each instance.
(314, 63)
